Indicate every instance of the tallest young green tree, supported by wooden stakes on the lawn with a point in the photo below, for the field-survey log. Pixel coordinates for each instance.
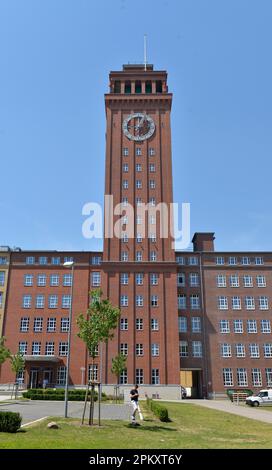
(96, 327)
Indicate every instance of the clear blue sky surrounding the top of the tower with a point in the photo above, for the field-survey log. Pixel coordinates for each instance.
(55, 56)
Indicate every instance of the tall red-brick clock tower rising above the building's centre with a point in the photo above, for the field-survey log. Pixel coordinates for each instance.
(138, 263)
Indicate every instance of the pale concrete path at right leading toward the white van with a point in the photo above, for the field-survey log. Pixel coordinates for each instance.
(227, 406)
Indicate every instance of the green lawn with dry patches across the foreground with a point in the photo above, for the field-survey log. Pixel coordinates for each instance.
(191, 427)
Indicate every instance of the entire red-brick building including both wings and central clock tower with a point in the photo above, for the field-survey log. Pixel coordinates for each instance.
(197, 318)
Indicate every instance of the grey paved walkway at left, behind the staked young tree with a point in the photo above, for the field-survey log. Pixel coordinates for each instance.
(32, 410)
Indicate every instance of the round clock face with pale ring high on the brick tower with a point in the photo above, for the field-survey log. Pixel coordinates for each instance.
(138, 127)
